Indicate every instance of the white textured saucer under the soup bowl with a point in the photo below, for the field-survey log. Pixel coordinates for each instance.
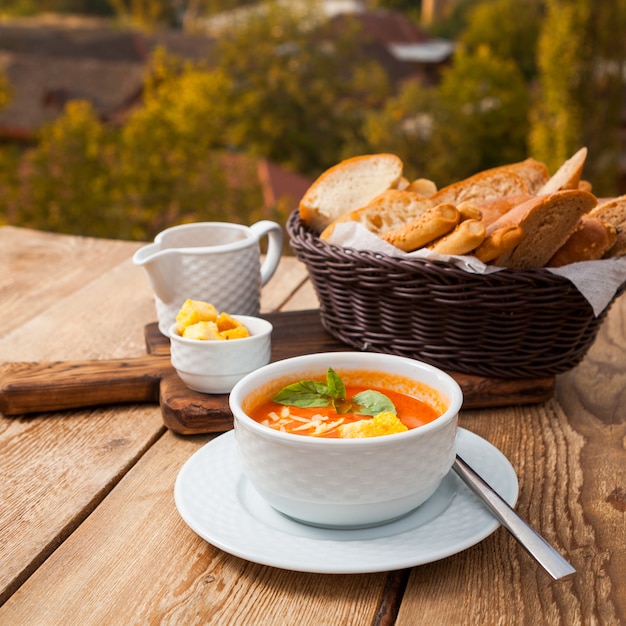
(219, 504)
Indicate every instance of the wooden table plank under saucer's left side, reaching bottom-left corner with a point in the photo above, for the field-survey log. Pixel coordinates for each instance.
(134, 561)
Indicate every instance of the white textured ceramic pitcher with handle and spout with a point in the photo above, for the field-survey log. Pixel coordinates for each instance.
(217, 262)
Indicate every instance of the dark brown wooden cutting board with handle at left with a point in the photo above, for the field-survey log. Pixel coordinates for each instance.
(57, 386)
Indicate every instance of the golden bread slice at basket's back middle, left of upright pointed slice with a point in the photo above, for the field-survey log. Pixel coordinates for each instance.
(486, 185)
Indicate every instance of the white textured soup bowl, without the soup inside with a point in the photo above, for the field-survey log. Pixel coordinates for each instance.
(345, 482)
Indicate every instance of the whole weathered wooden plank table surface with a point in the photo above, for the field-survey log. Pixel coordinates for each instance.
(89, 532)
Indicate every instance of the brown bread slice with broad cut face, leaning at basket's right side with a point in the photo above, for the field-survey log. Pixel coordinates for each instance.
(548, 221)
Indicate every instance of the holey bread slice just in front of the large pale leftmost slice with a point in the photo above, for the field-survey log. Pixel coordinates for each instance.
(387, 211)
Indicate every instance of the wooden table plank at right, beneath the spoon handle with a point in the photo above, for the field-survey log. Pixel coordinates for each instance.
(571, 464)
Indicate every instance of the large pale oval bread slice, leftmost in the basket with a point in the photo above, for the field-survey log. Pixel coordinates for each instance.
(347, 186)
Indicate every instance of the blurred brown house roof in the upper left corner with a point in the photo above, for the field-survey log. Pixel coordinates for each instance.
(50, 62)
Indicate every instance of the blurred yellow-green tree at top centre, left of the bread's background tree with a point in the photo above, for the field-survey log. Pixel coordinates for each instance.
(297, 96)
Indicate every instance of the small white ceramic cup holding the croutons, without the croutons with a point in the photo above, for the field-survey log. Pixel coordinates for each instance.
(215, 366)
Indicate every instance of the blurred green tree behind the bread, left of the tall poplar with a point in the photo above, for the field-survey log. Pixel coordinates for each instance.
(475, 119)
